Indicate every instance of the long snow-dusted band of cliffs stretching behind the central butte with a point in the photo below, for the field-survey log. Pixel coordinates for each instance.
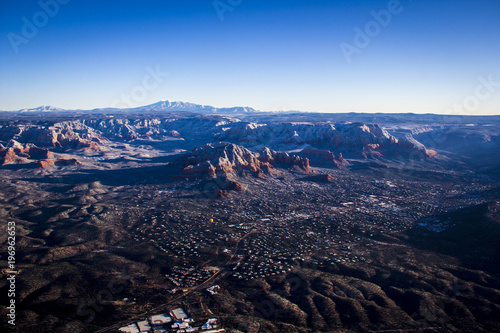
(353, 140)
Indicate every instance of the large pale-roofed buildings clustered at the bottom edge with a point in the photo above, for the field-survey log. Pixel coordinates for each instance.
(176, 321)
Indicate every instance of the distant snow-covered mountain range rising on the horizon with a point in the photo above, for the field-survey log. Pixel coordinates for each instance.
(159, 106)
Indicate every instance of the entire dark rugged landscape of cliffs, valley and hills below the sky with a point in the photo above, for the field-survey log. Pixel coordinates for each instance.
(307, 222)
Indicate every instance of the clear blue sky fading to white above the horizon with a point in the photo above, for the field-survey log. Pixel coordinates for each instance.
(270, 55)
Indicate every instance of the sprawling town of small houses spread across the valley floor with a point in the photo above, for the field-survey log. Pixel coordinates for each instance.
(313, 221)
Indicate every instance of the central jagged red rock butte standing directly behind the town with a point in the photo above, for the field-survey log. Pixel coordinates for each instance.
(223, 159)
